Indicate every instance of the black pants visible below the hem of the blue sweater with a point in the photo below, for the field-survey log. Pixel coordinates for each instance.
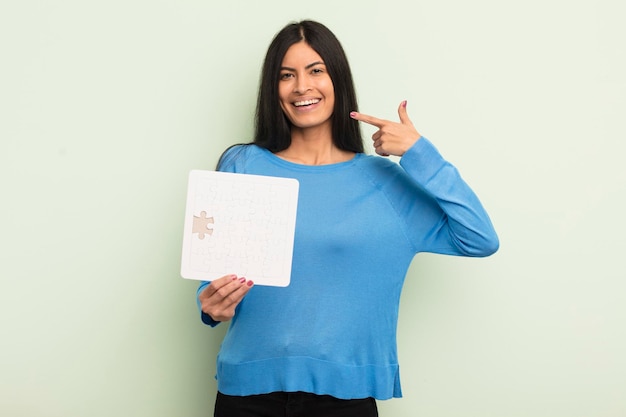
(292, 404)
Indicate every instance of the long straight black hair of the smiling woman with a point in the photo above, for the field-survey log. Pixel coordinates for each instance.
(272, 128)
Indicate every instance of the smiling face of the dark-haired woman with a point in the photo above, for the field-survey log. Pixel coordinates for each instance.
(305, 90)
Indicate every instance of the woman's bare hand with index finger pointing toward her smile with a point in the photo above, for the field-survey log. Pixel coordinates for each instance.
(391, 138)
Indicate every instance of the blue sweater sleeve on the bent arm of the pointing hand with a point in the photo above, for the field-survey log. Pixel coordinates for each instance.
(454, 222)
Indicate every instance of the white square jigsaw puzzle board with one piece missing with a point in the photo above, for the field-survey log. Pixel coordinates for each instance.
(239, 224)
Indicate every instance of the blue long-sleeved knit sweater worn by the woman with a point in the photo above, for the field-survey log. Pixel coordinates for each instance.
(359, 224)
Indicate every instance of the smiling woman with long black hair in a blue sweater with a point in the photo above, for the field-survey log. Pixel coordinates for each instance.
(327, 342)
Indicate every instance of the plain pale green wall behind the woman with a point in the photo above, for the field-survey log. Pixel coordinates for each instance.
(106, 106)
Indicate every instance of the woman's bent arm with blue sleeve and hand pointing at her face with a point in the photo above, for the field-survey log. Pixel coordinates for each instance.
(443, 214)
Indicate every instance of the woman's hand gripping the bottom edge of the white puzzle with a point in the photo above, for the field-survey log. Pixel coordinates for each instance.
(223, 295)
